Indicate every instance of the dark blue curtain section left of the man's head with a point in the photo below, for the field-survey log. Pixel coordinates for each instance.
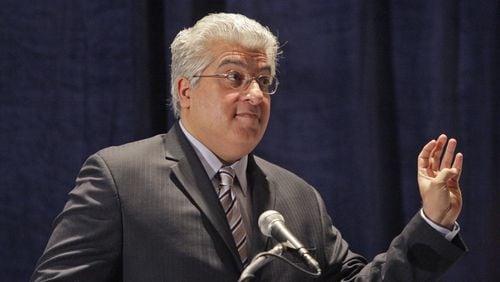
(72, 80)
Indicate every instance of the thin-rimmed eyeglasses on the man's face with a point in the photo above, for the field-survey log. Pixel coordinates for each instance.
(240, 81)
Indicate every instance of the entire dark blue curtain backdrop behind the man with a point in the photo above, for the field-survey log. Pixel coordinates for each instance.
(364, 85)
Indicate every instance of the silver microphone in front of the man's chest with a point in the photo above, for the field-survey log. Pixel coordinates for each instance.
(272, 224)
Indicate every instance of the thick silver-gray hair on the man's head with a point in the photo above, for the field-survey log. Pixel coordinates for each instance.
(189, 48)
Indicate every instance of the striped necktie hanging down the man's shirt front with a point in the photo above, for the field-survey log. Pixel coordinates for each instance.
(233, 213)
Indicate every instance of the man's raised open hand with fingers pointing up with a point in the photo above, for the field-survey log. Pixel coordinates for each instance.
(438, 181)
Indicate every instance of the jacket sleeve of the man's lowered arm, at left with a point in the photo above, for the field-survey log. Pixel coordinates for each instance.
(85, 244)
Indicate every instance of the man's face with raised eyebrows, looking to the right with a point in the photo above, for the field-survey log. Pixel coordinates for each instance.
(230, 122)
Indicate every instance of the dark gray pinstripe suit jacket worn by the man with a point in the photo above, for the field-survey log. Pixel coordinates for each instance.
(147, 211)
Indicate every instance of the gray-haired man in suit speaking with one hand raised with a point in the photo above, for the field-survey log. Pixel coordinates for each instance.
(184, 206)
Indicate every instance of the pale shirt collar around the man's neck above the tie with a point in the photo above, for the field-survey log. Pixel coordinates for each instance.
(211, 162)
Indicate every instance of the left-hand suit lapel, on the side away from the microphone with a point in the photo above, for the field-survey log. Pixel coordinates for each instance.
(196, 185)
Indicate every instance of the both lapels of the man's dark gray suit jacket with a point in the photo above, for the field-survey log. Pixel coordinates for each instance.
(188, 169)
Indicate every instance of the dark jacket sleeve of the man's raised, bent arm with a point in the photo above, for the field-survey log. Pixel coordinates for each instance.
(419, 253)
